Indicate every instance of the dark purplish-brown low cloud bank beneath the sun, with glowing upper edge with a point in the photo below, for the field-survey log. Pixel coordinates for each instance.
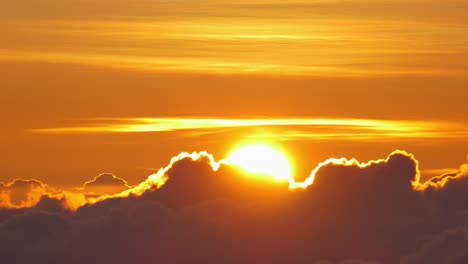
(197, 210)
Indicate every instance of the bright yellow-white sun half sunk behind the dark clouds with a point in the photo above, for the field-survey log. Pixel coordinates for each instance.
(261, 159)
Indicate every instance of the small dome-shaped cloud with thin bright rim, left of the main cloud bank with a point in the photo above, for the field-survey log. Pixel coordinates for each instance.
(105, 183)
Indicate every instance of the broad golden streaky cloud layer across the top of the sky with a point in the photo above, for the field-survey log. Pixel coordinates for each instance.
(355, 36)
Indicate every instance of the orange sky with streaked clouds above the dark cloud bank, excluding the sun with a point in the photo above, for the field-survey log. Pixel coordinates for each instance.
(64, 66)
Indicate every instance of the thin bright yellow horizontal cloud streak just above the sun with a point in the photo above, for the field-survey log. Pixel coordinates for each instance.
(324, 129)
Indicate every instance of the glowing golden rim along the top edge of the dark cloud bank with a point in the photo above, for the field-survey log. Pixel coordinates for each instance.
(28, 193)
